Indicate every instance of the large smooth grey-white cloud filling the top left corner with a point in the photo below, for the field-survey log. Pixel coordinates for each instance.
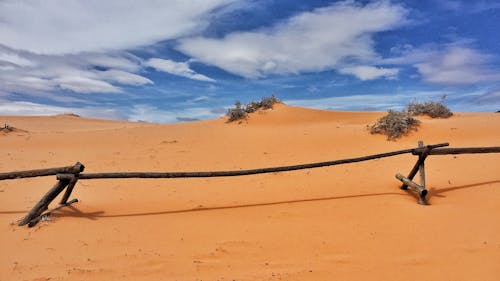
(71, 26)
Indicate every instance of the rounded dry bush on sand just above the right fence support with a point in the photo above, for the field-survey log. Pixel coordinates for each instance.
(395, 124)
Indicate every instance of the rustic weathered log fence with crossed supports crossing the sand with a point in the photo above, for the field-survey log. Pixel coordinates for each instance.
(68, 176)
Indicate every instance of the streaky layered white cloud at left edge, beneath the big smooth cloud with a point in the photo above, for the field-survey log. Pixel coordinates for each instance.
(81, 73)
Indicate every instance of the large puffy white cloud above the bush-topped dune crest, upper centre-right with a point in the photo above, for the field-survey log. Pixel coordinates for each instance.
(311, 41)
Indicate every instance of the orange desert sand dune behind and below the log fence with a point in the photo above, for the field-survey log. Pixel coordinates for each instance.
(348, 222)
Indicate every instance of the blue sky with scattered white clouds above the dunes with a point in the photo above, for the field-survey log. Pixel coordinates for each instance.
(171, 61)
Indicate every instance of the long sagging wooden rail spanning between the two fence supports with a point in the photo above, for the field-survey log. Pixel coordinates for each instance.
(239, 172)
